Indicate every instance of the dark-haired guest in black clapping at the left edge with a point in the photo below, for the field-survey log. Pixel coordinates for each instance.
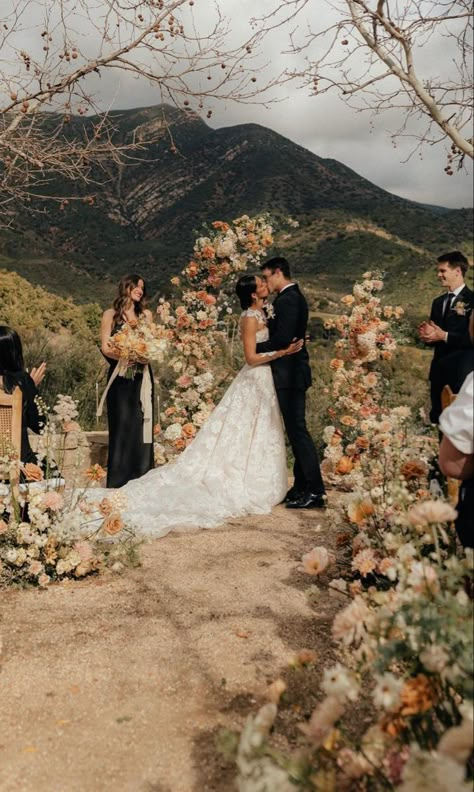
(13, 374)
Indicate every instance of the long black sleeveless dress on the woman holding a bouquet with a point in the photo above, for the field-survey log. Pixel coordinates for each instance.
(129, 456)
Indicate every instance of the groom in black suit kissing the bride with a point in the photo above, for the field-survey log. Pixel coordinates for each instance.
(287, 320)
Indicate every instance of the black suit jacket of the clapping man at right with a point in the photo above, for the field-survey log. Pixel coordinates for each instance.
(453, 359)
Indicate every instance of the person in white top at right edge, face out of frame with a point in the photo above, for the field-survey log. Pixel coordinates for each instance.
(456, 453)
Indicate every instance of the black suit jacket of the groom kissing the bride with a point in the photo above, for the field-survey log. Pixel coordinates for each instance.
(289, 321)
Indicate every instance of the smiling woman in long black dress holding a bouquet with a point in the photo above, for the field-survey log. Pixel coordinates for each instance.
(130, 436)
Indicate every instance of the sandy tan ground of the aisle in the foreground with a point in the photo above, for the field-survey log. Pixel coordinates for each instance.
(122, 683)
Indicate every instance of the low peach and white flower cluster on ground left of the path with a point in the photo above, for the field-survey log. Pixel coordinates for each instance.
(49, 533)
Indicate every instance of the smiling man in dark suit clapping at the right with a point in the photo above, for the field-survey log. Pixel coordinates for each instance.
(447, 330)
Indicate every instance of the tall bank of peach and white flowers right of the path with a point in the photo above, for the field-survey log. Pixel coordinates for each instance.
(403, 632)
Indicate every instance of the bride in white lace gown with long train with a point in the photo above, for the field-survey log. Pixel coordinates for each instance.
(236, 465)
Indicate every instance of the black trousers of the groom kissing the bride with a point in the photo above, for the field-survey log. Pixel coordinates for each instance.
(306, 469)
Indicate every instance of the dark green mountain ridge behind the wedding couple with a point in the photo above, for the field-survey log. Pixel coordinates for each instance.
(145, 215)
